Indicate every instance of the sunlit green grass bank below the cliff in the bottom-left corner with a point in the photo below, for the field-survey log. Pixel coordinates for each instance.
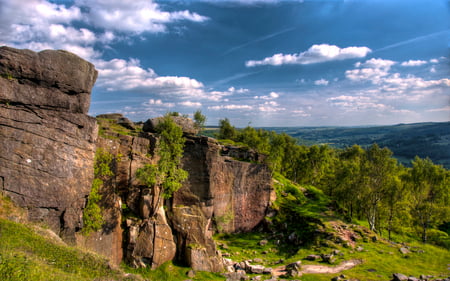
(24, 255)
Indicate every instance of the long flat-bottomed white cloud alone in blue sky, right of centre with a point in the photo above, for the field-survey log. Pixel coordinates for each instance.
(315, 54)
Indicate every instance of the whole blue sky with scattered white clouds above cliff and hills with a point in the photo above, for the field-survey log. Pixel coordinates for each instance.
(259, 63)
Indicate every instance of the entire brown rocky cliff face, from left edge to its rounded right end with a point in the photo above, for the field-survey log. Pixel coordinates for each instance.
(47, 166)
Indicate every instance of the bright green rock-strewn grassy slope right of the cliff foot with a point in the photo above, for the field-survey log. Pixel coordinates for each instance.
(382, 256)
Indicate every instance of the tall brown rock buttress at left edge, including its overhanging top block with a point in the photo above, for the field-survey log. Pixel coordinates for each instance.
(46, 138)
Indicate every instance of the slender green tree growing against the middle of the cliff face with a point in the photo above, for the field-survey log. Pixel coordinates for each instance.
(166, 176)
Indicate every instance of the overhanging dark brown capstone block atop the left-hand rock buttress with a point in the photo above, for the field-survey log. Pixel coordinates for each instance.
(56, 80)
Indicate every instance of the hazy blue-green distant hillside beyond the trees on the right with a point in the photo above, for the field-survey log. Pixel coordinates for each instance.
(405, 140)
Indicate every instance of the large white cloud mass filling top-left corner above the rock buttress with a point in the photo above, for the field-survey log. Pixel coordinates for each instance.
(40, 24)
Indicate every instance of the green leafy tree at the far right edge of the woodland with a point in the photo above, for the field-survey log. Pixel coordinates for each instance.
(429, 184)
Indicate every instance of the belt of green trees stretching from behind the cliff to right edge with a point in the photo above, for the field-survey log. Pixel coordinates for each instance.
(362, 183)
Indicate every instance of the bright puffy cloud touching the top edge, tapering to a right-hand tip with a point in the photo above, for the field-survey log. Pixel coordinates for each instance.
(133, 15)
